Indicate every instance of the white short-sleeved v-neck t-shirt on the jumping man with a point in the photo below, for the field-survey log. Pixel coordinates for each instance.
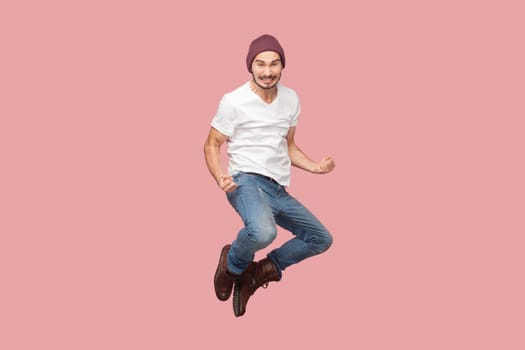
(257, 131)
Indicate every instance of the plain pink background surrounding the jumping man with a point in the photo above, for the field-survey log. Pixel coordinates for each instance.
(111, 225)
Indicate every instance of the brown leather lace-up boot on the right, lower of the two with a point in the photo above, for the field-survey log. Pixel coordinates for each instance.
(256, 275)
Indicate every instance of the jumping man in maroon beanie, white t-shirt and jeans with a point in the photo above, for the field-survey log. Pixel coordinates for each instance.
(258, 120)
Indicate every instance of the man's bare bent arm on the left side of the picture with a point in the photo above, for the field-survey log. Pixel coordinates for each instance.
(212, 154)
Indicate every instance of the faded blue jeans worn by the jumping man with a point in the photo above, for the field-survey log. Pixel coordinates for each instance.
(262, 204)
